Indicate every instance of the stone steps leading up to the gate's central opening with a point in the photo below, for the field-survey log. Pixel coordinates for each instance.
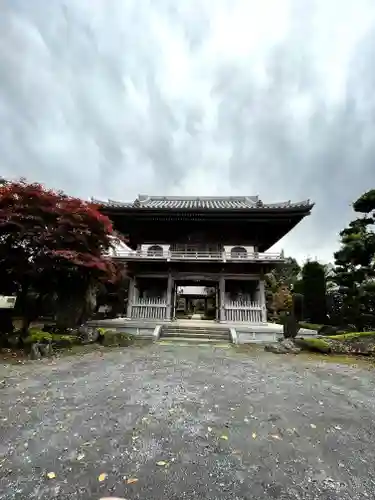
(193, 333)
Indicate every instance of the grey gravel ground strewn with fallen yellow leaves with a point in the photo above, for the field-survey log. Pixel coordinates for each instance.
(168, 421)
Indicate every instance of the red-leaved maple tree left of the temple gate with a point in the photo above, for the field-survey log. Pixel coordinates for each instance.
(52, 242)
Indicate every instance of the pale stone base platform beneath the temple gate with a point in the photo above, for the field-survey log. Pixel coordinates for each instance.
(241, 333)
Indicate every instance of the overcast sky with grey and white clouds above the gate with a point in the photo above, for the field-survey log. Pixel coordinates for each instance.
(111, 98)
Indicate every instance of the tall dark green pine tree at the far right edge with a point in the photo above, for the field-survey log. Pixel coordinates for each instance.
(355, 266)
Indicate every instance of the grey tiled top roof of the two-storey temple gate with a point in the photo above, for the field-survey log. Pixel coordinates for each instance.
(206, 202)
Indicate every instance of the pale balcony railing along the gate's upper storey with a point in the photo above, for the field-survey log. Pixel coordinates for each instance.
(189, 255)
